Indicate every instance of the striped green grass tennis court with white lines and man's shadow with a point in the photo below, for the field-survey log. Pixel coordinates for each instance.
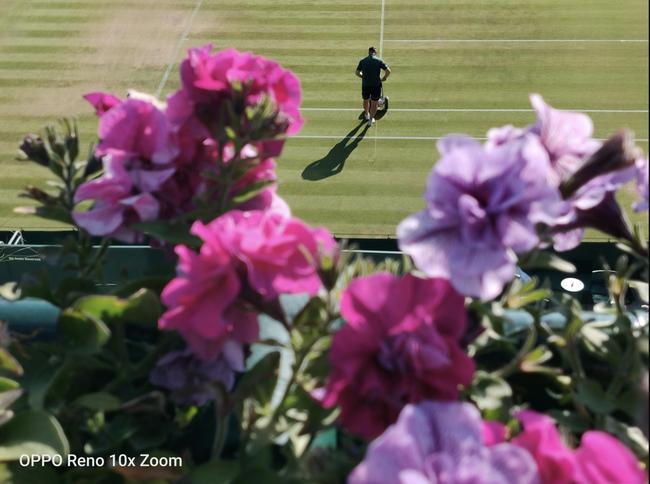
(458, 66)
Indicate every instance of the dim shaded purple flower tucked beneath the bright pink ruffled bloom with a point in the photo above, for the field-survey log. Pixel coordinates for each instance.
(190, 379)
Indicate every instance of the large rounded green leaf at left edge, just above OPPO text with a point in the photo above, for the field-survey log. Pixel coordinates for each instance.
(32, 432)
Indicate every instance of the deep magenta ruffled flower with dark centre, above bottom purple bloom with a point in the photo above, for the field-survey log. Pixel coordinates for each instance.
(400, 345)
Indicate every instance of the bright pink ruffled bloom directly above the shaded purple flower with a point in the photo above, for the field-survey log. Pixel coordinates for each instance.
(246, 257)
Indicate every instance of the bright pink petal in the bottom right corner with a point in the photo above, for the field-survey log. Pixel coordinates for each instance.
(601, 459)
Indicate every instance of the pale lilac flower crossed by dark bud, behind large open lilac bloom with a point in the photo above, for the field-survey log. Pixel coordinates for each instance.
(582, 168)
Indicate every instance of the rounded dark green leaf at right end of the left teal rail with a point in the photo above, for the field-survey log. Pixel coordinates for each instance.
(83, 331)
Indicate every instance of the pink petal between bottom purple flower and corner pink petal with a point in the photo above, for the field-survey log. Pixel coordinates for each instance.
(540, 437)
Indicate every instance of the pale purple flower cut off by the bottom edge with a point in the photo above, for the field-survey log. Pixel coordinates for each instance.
(441, 442)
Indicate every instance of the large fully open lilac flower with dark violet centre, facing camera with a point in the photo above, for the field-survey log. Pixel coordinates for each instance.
(482, 206)
